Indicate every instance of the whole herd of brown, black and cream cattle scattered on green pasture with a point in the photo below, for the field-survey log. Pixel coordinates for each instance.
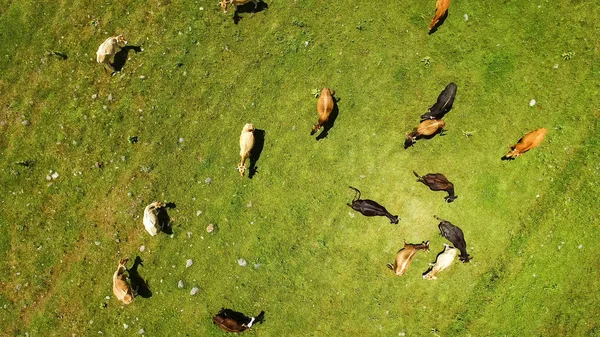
(430, 125)
